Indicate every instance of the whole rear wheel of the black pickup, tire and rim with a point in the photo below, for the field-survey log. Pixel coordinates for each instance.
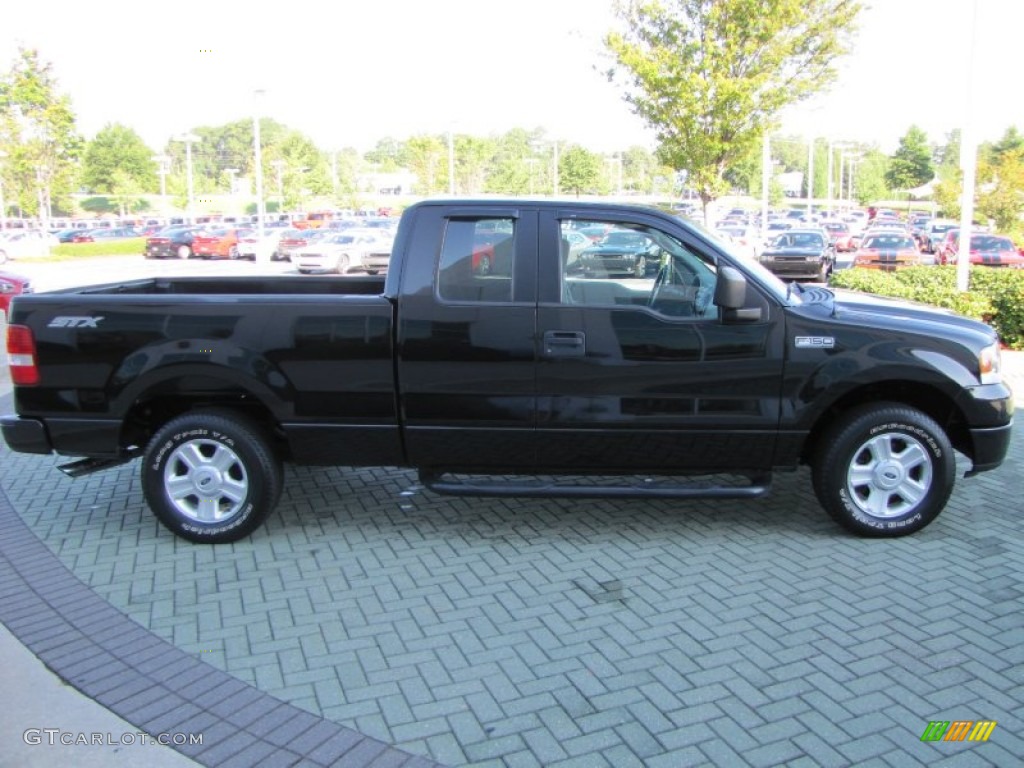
(210, 477)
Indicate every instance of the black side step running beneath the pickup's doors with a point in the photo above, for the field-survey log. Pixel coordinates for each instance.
(642, 489)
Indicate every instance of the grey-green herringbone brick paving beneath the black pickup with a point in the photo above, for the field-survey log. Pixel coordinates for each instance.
(572, 633)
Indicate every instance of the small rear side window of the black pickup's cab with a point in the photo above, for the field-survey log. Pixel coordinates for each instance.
(477, 261)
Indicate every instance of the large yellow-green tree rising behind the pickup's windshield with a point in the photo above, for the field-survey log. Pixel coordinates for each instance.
(710, 76)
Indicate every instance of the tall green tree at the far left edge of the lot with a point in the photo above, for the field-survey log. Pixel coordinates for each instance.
(38, 134)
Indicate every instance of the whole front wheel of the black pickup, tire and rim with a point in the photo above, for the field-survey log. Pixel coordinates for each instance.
(885, 471)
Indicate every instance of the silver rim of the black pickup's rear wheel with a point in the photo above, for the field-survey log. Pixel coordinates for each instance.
(206, 482)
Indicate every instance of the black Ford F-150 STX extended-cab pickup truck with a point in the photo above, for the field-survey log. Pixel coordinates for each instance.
(496, 362)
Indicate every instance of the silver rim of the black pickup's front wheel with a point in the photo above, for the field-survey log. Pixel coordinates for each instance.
(890, 476)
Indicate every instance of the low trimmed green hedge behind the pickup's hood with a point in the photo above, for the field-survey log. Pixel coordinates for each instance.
(996, 296)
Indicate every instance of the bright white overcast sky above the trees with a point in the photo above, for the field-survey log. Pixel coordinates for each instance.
(349, 74)
